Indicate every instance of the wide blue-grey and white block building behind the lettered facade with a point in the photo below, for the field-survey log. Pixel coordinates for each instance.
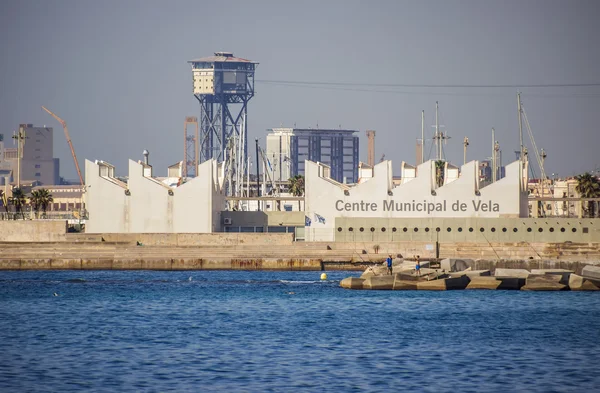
(288, 148)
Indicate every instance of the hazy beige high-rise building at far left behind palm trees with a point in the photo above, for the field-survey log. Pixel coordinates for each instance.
(37, 156)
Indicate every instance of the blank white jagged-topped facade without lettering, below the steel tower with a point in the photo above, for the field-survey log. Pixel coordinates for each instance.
(147, 205)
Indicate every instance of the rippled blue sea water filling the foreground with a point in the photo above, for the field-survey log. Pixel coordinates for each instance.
(245, 332)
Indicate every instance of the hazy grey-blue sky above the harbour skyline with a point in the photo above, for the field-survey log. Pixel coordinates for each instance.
(117, 72)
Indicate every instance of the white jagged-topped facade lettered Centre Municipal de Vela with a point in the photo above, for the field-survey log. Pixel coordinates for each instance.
(376, 197)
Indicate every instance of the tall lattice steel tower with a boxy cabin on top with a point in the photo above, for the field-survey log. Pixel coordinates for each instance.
(223, 85)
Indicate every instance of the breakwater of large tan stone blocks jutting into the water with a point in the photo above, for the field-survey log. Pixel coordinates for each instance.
(452, 274)
